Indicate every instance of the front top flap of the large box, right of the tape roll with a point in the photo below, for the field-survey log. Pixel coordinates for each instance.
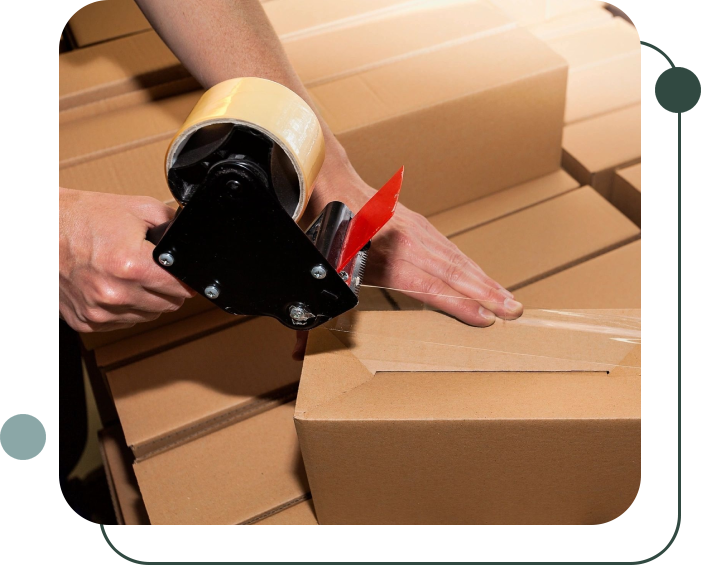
(433, 78)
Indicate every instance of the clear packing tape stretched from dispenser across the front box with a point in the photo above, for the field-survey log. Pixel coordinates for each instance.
(418, 337)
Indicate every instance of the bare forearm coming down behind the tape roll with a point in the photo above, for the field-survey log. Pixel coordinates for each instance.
(222, 39)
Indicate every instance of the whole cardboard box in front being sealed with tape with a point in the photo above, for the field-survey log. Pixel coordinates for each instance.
(518, 424)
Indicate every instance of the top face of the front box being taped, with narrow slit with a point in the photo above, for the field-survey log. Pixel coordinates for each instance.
(424, 365)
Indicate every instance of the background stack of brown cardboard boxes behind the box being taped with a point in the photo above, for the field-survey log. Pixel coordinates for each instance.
(476, 100)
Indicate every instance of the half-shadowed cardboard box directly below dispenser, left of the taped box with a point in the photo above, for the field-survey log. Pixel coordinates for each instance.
(170, 398)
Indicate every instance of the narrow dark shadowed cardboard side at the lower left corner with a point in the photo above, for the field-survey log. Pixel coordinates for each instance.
(128, 505)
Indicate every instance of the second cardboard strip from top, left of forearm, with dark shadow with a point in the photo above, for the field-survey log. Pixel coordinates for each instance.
(115, 68)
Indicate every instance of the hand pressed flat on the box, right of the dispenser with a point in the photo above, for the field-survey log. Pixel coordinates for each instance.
(409, 254)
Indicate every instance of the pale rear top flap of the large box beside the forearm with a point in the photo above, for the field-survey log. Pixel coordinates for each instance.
(335, 54)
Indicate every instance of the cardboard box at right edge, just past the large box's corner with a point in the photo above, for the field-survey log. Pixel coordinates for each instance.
(595, 148)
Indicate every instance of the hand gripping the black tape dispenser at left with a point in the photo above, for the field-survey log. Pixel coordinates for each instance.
(107, 278)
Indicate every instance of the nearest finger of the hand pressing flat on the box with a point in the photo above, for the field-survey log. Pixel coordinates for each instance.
(437, 294)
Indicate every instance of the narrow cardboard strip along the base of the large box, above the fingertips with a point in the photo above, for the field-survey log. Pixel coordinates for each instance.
(502, 204)
